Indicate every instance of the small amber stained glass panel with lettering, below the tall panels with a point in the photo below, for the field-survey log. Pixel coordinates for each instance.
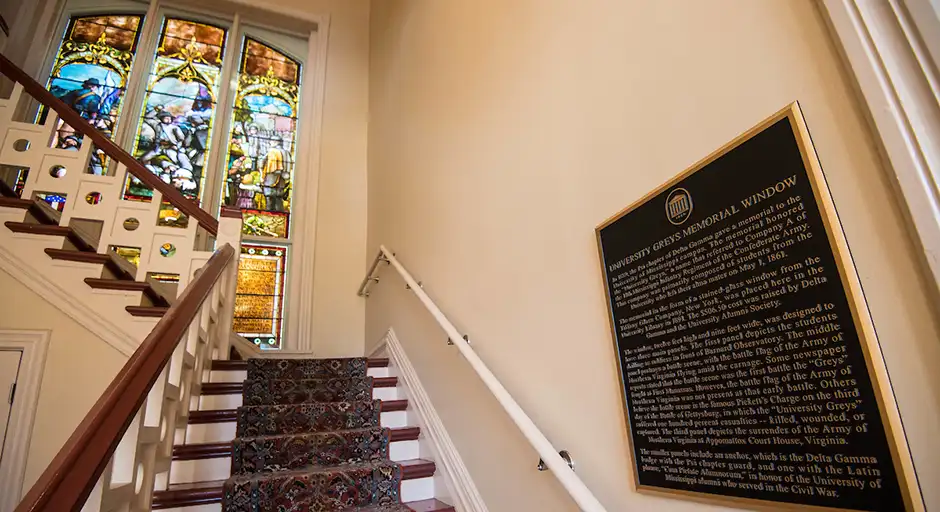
(259, 297)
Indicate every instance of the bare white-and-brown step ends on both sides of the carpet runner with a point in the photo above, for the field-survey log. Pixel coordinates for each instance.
(209, 461)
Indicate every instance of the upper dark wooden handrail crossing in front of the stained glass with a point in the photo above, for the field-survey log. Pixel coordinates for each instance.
(75, 120)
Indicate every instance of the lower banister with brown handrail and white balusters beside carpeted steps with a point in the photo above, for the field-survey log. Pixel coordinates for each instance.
(88, 455)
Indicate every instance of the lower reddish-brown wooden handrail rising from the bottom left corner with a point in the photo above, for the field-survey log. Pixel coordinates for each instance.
(73, 473)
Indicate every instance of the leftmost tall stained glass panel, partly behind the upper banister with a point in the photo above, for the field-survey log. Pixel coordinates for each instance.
(90, 75)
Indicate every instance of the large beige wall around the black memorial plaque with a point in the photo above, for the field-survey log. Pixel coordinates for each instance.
(502, 132)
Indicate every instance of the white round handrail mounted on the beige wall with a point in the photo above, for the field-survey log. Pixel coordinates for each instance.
(569, 480)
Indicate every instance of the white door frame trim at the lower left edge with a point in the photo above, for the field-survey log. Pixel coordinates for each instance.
(33, 344)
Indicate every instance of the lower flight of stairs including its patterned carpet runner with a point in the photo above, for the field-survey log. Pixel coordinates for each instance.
(300, 434)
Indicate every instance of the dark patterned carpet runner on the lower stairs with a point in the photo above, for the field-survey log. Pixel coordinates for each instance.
(309, 439)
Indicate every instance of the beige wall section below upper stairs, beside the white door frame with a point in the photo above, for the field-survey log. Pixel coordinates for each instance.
(79, 367)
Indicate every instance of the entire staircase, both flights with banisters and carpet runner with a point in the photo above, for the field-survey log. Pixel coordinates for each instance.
(181, 427)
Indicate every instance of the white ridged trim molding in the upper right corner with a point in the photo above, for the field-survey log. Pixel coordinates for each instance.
(888, 51)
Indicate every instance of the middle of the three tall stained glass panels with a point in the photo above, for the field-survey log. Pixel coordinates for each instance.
(176, 120)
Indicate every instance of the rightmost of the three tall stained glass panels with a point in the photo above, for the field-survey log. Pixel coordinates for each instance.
(260, 162)
